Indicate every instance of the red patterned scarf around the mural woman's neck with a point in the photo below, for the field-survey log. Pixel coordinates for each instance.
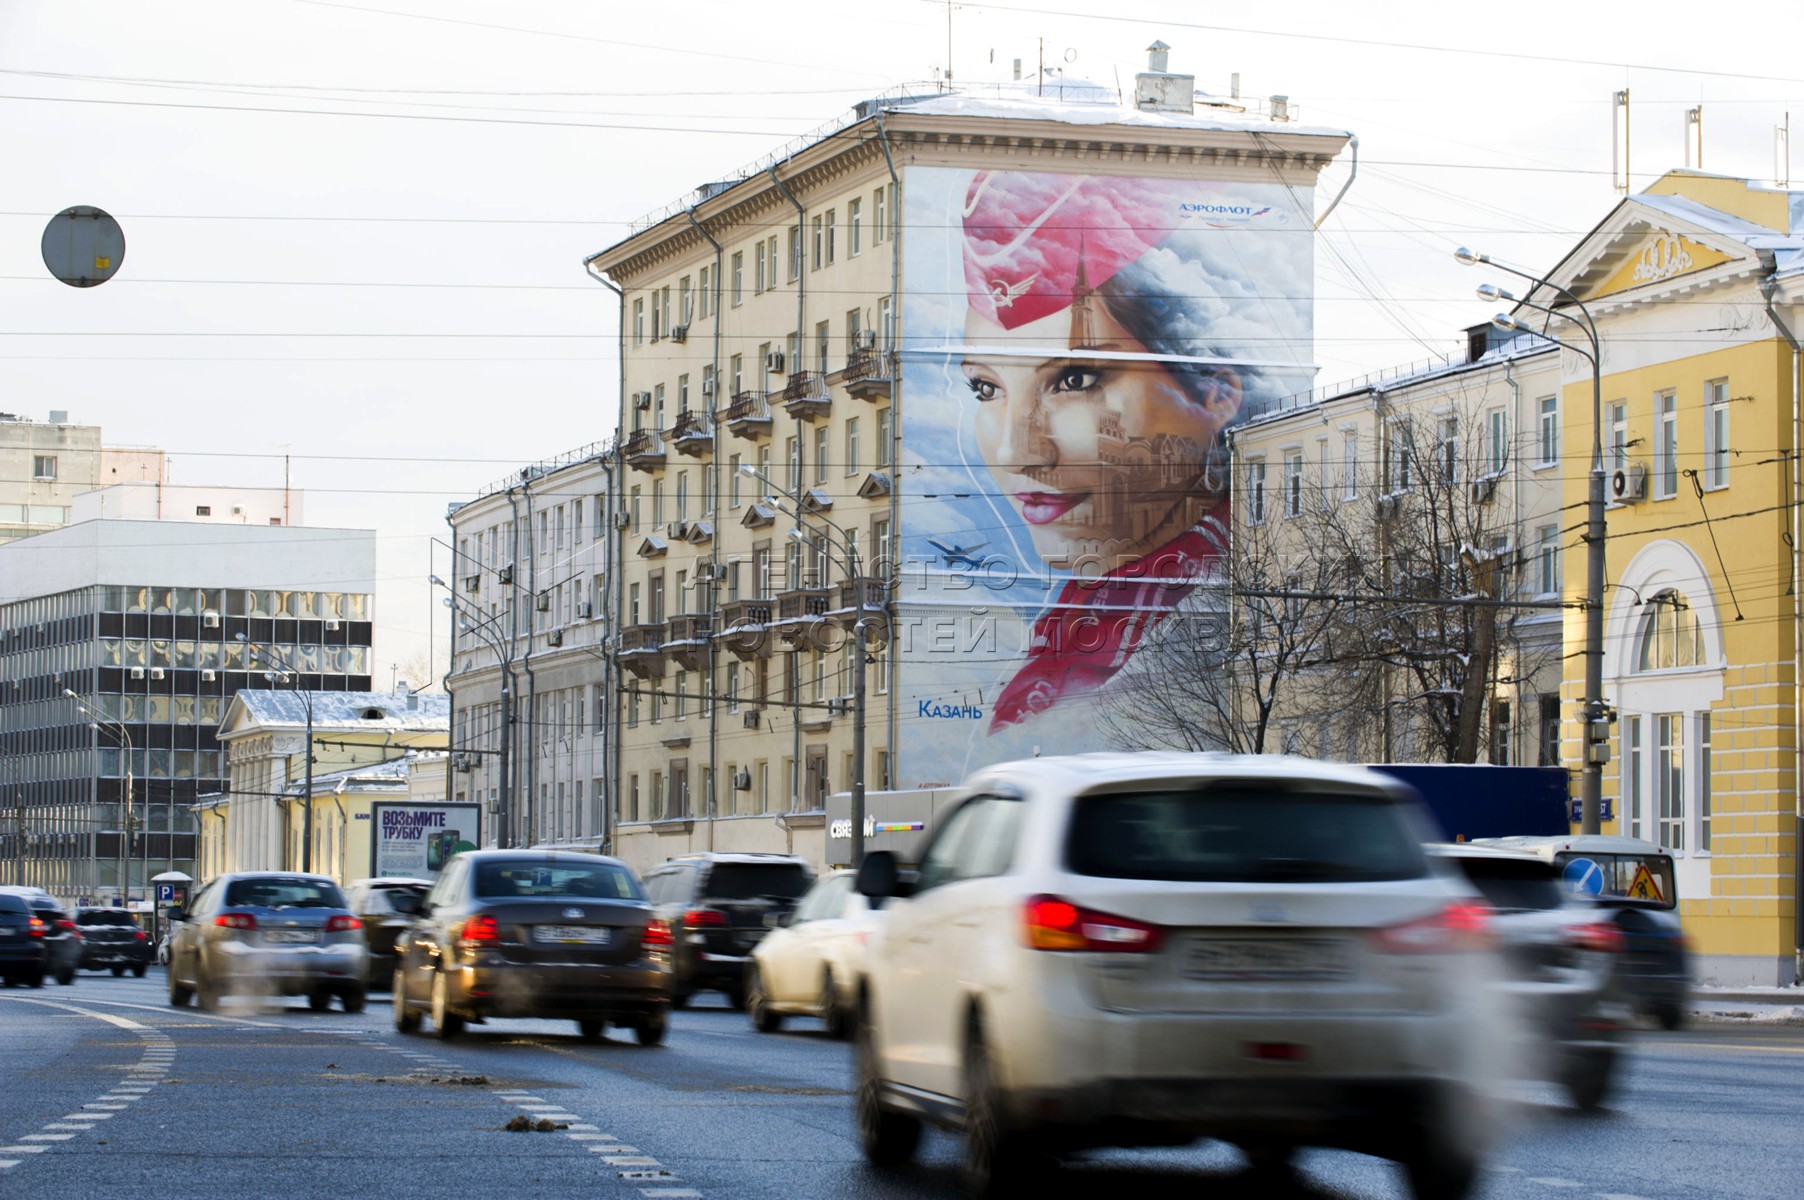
(1096, 625)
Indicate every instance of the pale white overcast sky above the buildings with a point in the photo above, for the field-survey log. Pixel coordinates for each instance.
(356, 230)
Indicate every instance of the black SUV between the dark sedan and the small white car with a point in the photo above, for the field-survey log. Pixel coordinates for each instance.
(719, 907)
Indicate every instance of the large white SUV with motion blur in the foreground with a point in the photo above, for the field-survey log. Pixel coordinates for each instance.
(1128, 950)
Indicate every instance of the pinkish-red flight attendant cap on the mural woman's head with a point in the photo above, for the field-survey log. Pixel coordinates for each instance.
(1031, 239)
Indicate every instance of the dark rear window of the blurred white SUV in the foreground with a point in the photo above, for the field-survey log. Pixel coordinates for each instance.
(1244, 835)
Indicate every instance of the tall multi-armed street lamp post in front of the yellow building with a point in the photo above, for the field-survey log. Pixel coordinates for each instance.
(1596, 739)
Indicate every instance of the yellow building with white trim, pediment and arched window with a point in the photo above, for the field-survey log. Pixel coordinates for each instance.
(1697, 291)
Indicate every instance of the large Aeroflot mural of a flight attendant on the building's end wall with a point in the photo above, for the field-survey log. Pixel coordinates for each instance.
(1074, 347)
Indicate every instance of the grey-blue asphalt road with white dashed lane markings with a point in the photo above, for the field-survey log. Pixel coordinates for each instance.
(109, 1093)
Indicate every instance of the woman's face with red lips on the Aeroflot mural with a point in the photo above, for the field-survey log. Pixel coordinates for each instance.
(1107, 459)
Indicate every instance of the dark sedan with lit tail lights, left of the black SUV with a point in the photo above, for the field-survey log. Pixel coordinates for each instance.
(537, 934)
